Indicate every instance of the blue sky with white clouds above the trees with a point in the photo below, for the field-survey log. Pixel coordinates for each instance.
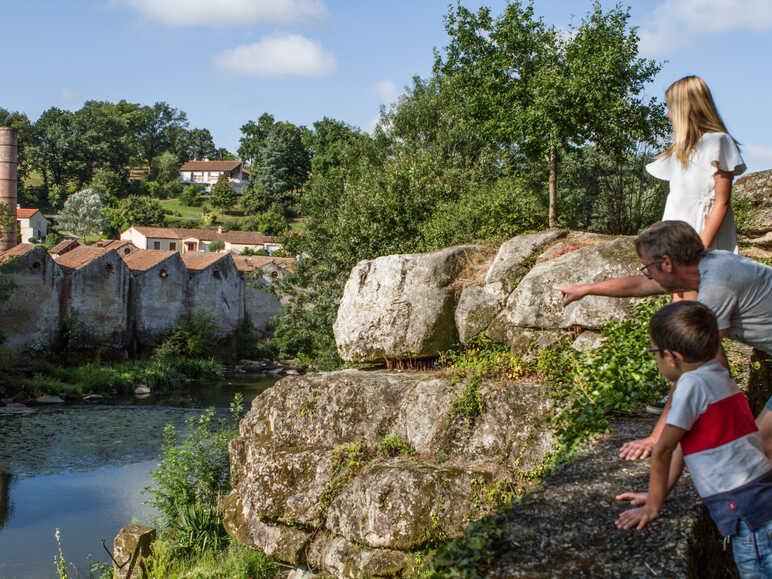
(225, 62)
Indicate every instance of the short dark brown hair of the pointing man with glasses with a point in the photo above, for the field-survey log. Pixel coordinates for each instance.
(677, 239)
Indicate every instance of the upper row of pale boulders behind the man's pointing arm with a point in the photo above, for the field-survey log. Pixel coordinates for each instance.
(403, 306)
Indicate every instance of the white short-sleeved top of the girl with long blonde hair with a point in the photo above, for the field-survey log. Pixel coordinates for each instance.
(692, 191)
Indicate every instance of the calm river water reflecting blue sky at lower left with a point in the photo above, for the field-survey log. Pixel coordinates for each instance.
(82, 468)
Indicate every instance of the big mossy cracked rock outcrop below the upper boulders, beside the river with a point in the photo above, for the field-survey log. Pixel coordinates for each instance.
(350, 470)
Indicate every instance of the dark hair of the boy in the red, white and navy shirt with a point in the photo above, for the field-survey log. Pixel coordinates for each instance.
(689, 328)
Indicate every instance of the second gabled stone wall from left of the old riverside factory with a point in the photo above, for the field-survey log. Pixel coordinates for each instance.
(98, 301)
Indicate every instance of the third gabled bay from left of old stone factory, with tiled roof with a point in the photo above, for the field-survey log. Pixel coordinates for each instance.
(156, 294)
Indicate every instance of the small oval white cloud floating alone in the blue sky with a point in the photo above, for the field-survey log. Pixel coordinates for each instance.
(291, 55)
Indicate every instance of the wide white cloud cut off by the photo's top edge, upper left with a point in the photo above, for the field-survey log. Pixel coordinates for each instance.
(227, 12)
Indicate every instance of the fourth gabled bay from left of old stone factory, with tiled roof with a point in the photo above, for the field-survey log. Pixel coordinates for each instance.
(215, 288)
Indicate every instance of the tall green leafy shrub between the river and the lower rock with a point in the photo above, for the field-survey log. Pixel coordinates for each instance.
(192, 478)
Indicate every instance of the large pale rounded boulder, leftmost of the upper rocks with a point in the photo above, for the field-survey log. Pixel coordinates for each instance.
(400, 306)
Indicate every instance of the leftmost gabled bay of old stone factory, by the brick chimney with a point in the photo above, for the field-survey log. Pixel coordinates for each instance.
(31, 316)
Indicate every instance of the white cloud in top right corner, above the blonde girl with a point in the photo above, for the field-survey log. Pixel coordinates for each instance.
(675, 24)
